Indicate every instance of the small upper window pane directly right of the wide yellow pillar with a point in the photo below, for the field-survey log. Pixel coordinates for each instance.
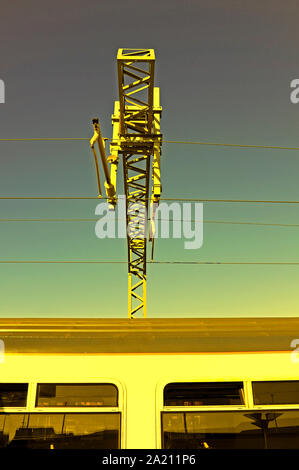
(204, 394)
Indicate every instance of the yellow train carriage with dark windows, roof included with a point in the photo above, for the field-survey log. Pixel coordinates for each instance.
(158, 383)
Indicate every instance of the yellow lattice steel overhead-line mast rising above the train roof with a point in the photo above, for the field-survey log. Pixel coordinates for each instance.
(136, 120)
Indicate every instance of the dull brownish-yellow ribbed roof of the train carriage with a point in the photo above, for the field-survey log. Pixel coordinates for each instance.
(156, 335)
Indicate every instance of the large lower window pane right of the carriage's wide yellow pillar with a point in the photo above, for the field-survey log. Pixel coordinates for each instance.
(231, 430)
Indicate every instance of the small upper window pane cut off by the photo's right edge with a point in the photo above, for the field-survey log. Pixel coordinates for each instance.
(284, 392)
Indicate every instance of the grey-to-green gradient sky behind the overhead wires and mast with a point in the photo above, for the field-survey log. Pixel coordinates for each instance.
(224, 69)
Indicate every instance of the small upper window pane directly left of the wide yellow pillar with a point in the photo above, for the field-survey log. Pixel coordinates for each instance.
(73, 395)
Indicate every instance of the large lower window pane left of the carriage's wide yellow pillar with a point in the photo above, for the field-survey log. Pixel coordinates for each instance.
(60, 430)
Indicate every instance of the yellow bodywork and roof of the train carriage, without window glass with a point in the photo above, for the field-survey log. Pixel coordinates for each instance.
(59, 350)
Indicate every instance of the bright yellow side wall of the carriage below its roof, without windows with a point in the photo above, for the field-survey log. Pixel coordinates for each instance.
(141, 394)
